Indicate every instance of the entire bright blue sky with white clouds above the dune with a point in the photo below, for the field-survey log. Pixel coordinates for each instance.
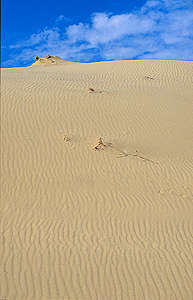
(87, 31)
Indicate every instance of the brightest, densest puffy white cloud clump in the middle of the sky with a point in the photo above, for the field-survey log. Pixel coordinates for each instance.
(105, 29)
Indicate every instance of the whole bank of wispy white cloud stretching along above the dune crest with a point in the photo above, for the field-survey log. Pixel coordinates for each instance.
(160, 29)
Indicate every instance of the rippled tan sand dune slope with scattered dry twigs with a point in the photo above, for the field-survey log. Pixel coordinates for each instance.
(97, 181)
